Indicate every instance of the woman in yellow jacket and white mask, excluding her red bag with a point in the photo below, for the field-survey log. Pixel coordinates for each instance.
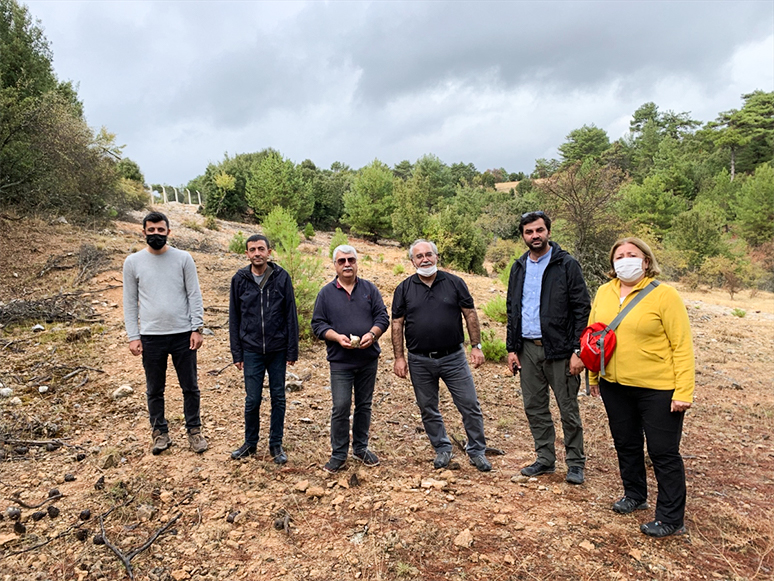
(648, 384)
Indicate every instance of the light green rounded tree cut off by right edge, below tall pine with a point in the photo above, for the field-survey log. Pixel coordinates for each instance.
(755, 206)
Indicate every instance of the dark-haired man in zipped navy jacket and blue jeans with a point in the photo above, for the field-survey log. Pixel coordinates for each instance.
(263, 328)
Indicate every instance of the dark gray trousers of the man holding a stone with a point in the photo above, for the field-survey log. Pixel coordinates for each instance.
(343, 384)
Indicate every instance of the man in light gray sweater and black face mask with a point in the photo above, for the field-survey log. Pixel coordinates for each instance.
(163, 316)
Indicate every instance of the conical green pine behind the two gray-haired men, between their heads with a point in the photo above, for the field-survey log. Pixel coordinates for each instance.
(369, 203)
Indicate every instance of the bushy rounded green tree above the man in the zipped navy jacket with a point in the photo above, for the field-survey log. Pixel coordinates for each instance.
(275, 181)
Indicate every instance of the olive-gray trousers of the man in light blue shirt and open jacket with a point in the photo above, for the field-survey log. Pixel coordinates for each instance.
(537, 373)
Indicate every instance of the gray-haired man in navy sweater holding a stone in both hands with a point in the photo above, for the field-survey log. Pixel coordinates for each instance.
(349, 314)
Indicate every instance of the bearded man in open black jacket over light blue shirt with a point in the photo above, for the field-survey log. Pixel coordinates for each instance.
(548, 307)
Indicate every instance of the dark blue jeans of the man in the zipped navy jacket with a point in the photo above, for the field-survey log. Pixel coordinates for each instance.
(255, 368)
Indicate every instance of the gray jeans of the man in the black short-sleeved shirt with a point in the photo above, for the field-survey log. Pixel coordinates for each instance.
(455, 372)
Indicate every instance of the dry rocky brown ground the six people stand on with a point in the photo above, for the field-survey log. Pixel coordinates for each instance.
(250, 519)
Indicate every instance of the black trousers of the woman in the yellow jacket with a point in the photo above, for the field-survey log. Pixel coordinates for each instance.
(634, 412)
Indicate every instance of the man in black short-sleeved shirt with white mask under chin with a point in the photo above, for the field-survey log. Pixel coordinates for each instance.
(431, 305)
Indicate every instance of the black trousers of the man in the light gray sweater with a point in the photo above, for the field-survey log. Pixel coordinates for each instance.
(156, 350)
